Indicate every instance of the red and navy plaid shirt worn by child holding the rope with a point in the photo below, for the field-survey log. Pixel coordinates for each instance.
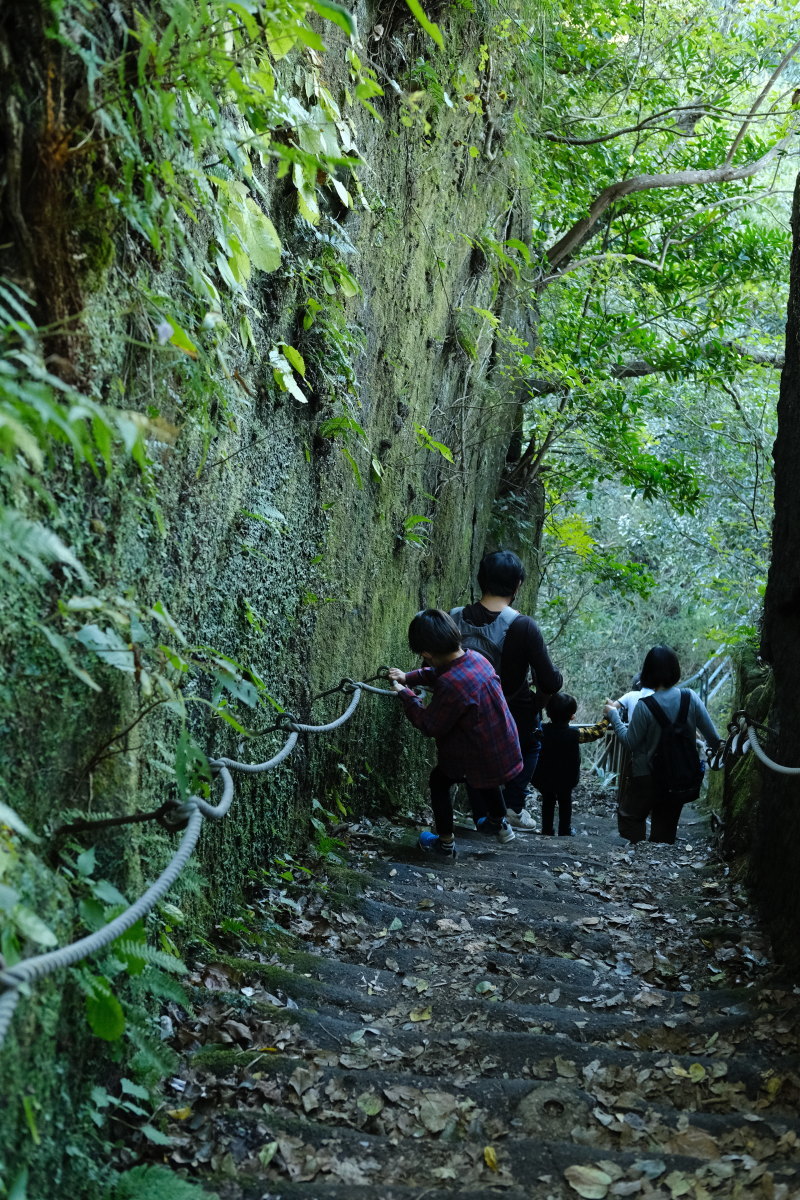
(476, 734)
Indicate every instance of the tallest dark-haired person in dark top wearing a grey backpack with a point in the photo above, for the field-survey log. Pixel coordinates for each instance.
(515, 645)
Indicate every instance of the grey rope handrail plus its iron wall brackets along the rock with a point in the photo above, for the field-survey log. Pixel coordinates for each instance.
(190, 818)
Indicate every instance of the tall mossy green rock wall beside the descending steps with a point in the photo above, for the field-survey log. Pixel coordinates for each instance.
(260, 536)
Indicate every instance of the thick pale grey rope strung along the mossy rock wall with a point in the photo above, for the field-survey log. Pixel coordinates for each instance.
(194, 812)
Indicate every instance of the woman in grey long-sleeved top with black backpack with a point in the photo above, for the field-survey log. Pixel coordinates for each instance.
(663, 740)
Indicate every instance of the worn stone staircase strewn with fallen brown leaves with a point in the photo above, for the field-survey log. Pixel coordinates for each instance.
(555, 1018)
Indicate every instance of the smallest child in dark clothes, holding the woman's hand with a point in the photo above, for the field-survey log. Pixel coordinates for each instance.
(560, 764)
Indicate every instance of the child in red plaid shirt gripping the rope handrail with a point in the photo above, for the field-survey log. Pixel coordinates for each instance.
(476, 735)
